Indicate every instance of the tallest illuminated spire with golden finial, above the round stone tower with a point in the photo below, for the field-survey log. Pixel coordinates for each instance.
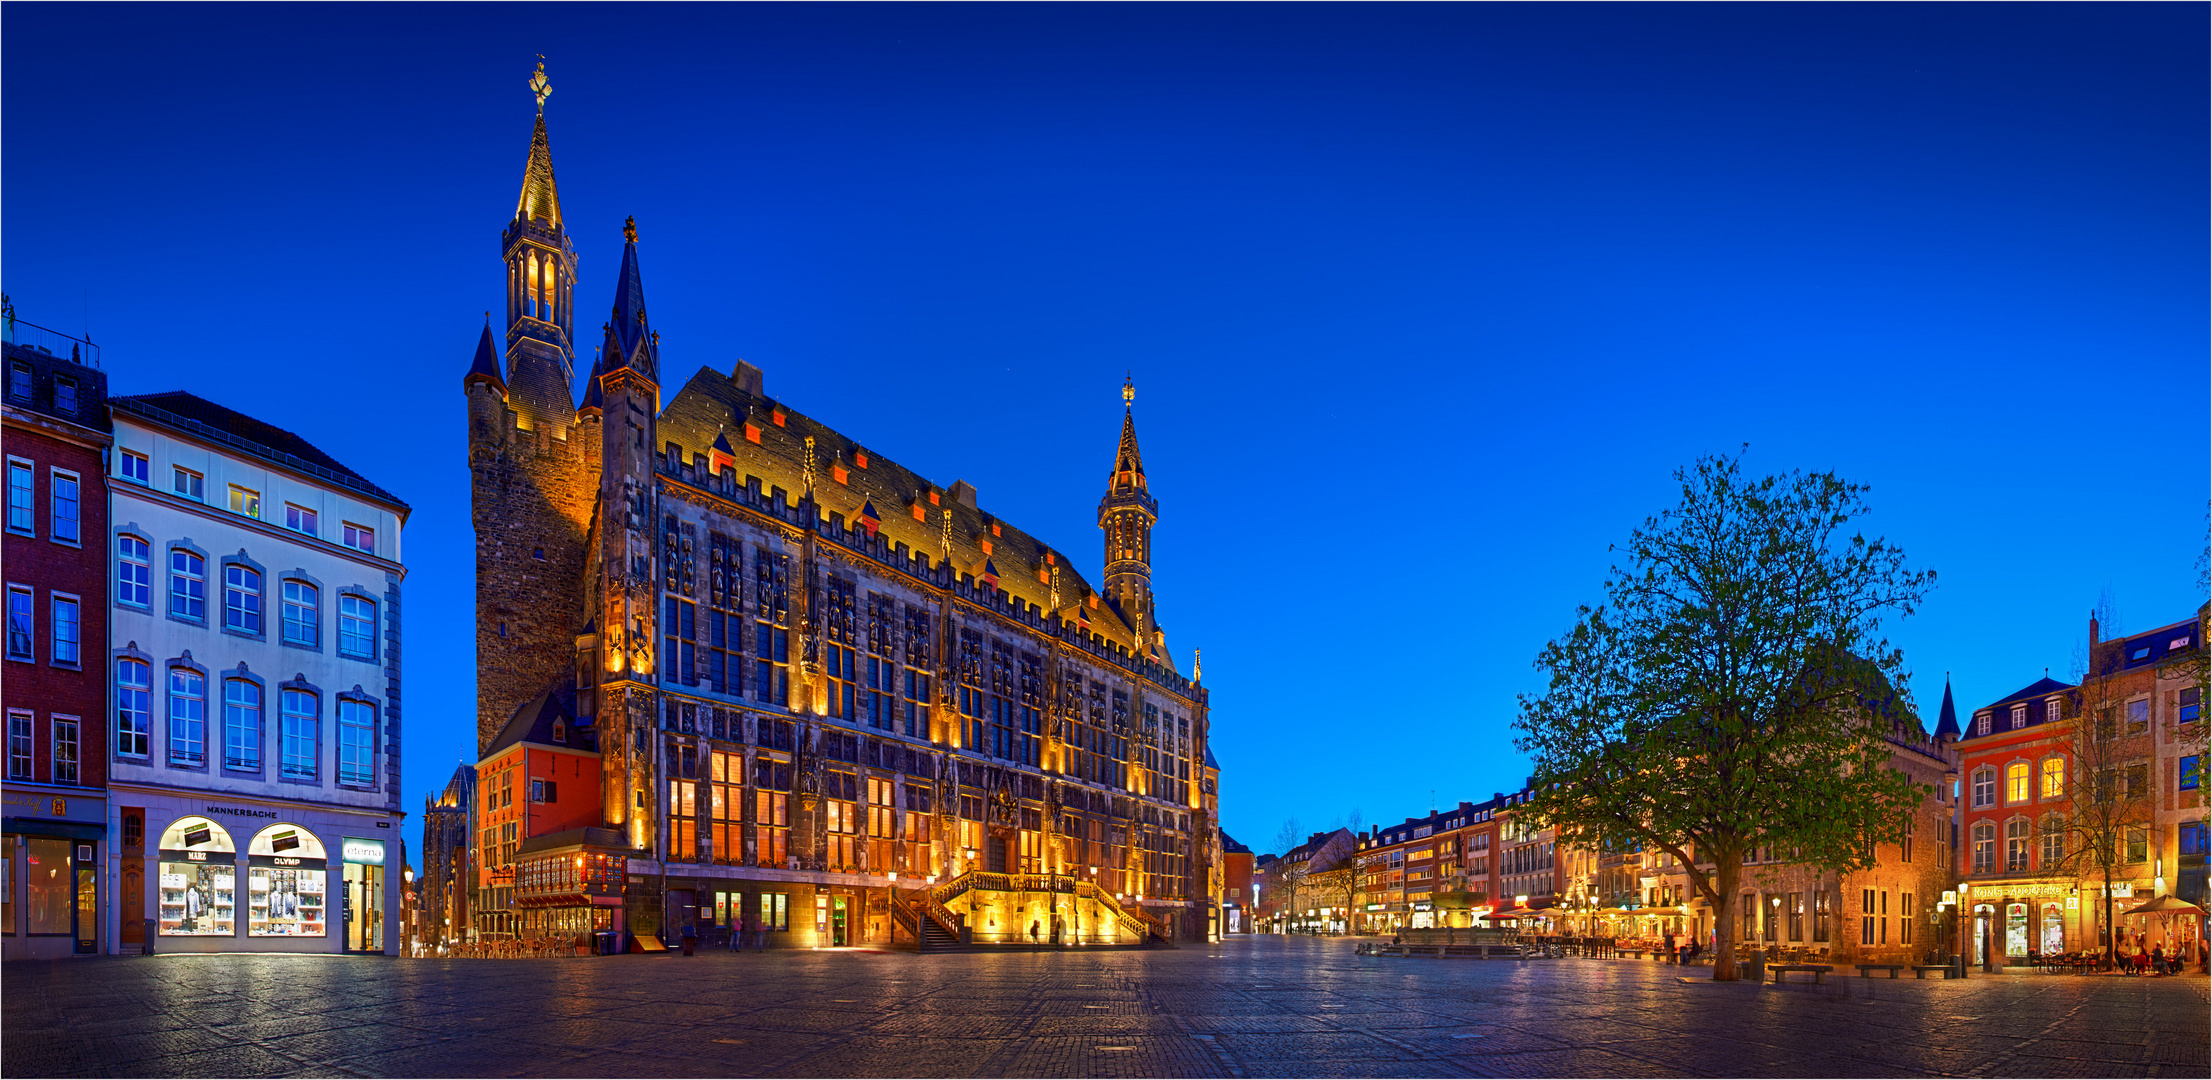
(541, 289)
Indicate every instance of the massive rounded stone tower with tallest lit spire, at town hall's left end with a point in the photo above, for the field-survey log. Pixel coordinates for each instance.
(534, 459)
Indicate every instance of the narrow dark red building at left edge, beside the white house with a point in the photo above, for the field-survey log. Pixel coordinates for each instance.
(52, 683)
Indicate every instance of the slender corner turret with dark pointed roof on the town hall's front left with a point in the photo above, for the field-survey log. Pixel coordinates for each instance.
(627, 395)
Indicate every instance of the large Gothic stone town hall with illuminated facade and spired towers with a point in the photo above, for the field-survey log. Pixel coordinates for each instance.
(828, 694)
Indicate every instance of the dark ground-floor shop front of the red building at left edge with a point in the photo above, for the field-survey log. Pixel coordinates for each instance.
(50, 875)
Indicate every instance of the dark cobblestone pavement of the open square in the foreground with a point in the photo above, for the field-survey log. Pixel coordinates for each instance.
(1264, 1006)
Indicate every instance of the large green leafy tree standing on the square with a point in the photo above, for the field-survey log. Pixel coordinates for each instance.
(1735, 689)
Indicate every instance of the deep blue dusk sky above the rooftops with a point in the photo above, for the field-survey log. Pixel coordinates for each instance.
(1423, 302)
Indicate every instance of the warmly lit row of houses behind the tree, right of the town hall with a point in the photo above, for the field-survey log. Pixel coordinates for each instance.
(2005, 860)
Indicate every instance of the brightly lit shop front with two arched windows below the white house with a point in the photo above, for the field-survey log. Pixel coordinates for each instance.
(242, 877)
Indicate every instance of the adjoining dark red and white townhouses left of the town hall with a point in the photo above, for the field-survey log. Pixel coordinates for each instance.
(202, 676)
